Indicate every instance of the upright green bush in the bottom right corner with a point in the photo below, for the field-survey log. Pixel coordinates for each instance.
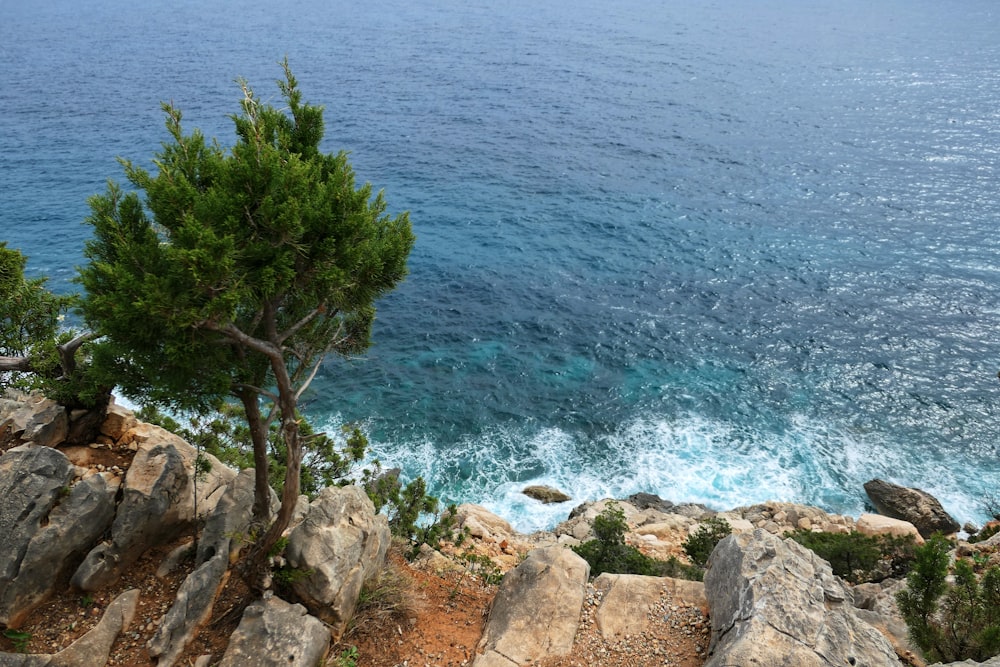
(955, 621)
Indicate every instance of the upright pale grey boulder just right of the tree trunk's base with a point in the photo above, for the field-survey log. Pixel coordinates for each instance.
(340, 544)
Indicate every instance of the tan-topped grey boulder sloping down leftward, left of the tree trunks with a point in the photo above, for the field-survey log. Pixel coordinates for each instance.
(158, 503)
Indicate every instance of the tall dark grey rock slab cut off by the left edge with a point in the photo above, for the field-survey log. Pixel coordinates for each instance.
(33, 479)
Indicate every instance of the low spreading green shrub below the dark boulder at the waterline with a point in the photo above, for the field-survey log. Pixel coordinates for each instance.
(858, 558)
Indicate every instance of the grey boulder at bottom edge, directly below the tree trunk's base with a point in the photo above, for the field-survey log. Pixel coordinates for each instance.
(274, 633)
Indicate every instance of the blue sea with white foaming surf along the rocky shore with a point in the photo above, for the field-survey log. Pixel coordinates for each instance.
(722, 252)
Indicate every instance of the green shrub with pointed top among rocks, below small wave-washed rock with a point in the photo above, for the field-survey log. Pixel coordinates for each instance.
(608, 552)
